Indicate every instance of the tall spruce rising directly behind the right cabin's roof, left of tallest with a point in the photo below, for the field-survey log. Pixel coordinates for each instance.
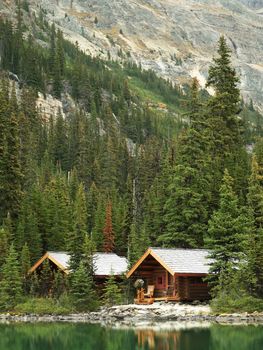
(187, 202)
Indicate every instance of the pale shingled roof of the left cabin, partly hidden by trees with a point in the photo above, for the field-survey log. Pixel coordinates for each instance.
(105, 264)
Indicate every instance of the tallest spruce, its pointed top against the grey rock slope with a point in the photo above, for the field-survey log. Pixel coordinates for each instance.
(227, 147)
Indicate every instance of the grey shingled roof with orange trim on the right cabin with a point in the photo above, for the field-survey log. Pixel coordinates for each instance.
(174, 260)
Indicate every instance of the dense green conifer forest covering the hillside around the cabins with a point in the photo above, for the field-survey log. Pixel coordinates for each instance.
(135, 161)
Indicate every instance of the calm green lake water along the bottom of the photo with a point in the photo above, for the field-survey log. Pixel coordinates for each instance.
(55, 336)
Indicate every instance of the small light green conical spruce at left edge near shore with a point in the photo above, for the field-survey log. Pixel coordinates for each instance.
(10, 284)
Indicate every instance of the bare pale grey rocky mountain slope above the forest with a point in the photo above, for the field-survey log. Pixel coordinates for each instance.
(175, 38)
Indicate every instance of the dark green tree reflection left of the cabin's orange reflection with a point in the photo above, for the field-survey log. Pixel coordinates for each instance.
(58, 336)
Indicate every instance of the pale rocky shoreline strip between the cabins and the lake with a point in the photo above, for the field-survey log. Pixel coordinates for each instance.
(142, 315)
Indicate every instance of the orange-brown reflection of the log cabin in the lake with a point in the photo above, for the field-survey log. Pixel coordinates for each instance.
(153, 340)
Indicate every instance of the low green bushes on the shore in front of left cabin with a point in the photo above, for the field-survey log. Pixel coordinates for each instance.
(44, 306)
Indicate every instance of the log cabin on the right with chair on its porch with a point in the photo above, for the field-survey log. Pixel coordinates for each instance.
(173, 274)
